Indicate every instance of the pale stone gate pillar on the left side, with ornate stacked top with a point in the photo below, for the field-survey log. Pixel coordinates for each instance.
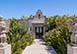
(5, 48)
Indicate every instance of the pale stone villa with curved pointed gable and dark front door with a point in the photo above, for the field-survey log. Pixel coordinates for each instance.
(36, 24)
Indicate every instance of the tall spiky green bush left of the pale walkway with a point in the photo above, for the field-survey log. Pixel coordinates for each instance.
(18, 37)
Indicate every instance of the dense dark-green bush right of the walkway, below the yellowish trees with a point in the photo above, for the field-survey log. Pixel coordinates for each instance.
(58, 38)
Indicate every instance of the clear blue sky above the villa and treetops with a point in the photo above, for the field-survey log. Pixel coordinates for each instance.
(18, 8)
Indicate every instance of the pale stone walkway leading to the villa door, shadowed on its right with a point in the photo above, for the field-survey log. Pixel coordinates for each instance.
(38, 47)
